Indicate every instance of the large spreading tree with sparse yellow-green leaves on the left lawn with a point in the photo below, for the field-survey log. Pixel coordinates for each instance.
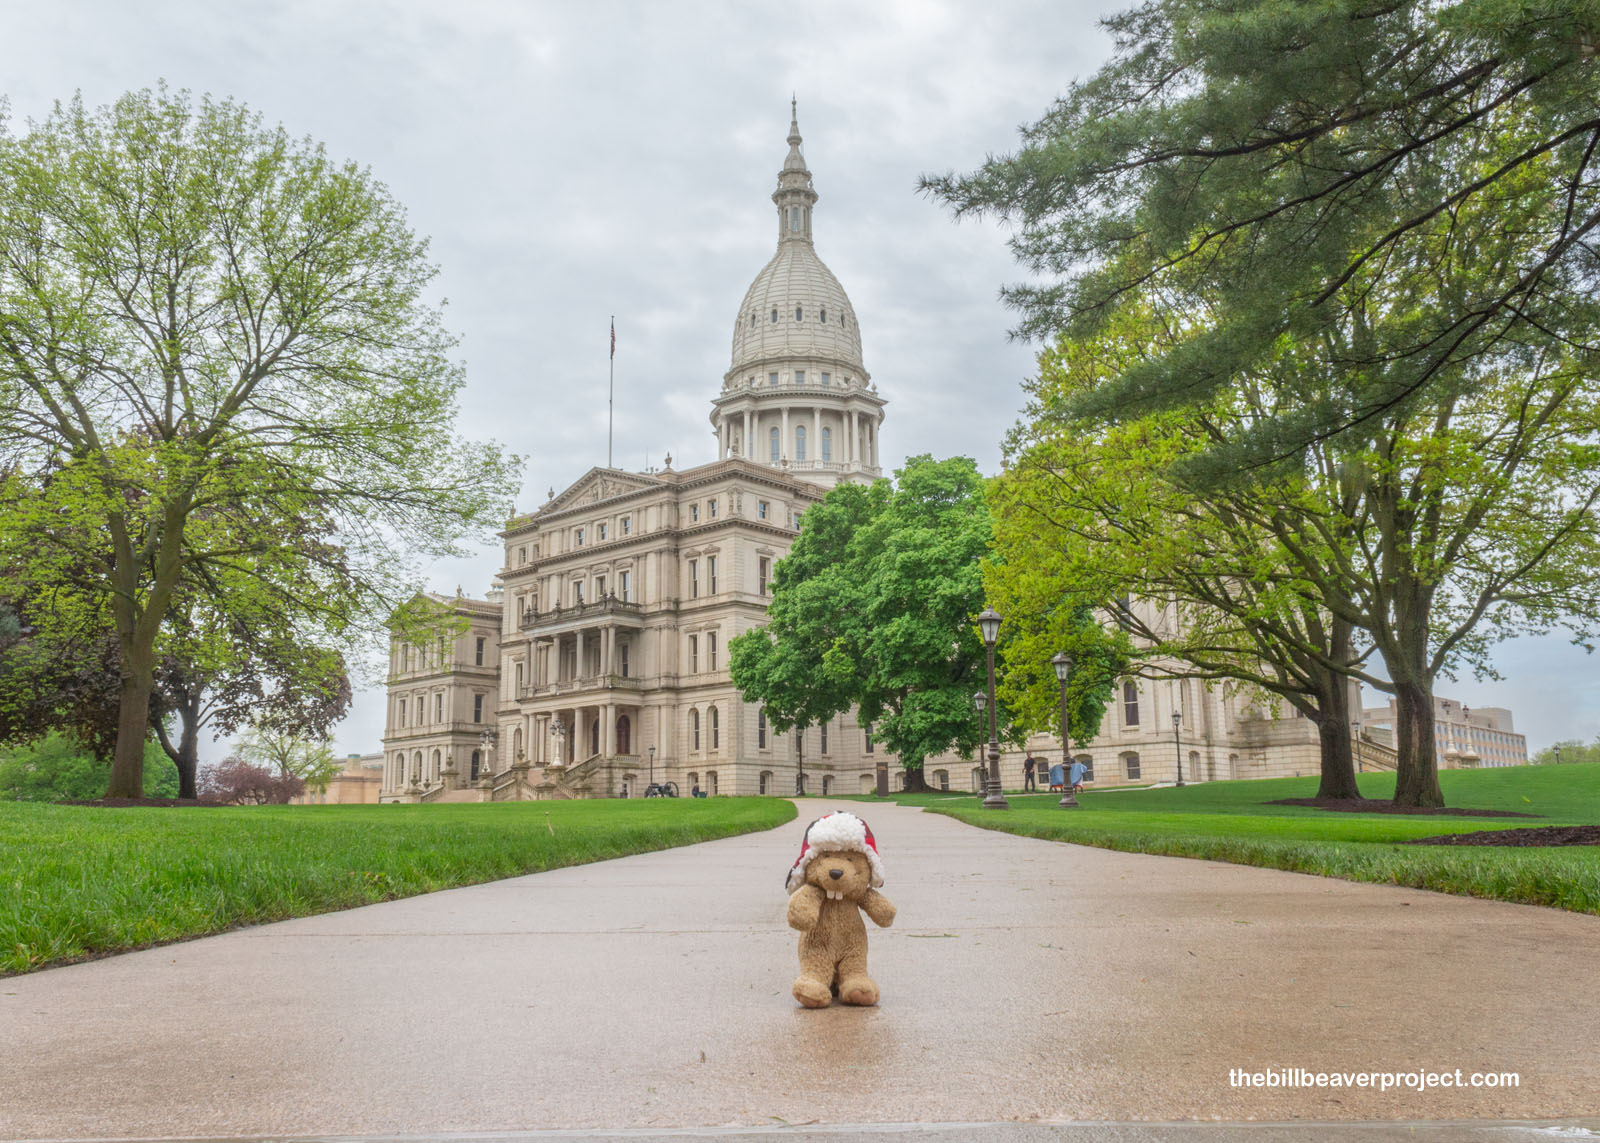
(215, 342)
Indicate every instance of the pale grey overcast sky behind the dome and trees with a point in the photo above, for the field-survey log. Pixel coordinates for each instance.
(577, 161)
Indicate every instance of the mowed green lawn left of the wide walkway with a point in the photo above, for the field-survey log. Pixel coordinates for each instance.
(84, 881)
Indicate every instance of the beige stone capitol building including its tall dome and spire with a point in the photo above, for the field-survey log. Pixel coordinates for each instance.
(599, 662)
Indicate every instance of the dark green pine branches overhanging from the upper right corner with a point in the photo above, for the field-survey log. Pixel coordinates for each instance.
(1287, 151)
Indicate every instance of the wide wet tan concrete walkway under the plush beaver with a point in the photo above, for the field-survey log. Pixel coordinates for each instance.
(1023, 981)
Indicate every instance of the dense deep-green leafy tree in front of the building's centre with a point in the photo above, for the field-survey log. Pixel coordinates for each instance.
(874, 608)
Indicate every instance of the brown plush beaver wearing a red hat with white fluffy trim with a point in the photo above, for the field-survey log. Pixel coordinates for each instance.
(831, 884)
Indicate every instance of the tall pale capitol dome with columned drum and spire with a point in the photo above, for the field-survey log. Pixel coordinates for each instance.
(796, 396)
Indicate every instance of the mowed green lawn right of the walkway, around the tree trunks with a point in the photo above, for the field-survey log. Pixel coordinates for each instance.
(1231, 822)
